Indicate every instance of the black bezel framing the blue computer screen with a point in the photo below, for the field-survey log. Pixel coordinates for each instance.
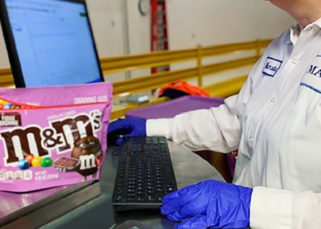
(11, 45)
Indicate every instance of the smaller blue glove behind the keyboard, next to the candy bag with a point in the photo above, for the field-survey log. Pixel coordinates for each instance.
(128, 127)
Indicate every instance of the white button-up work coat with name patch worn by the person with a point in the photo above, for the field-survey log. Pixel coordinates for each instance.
(275, 123)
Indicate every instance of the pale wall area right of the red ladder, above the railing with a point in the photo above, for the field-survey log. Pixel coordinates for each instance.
(208, 22)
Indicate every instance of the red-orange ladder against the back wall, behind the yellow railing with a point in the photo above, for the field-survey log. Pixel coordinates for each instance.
(159, 33)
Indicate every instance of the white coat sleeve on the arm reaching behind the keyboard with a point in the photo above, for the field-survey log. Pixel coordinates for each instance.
(214, 129)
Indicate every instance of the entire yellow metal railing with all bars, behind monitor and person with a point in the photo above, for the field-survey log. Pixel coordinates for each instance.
(153, 81)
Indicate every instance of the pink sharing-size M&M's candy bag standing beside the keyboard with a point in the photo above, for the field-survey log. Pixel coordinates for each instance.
(52, 136)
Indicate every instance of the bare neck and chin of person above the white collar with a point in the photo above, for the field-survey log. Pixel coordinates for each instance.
(307, 15)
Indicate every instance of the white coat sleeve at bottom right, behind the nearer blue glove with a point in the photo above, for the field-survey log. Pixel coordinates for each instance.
(282, 209)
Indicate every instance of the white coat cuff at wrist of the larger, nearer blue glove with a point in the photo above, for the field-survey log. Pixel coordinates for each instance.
(271, 208)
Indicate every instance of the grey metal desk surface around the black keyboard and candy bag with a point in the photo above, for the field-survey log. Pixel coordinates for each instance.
(98, 212)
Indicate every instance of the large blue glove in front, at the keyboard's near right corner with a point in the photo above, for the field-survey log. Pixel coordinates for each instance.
(209, 203)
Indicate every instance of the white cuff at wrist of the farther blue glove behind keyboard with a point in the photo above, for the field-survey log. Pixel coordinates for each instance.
(158, 127)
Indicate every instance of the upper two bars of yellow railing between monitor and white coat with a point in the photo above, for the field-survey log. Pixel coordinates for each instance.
(133, 62)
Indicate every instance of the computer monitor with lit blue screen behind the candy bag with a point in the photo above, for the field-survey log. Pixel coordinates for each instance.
(49, 42)
